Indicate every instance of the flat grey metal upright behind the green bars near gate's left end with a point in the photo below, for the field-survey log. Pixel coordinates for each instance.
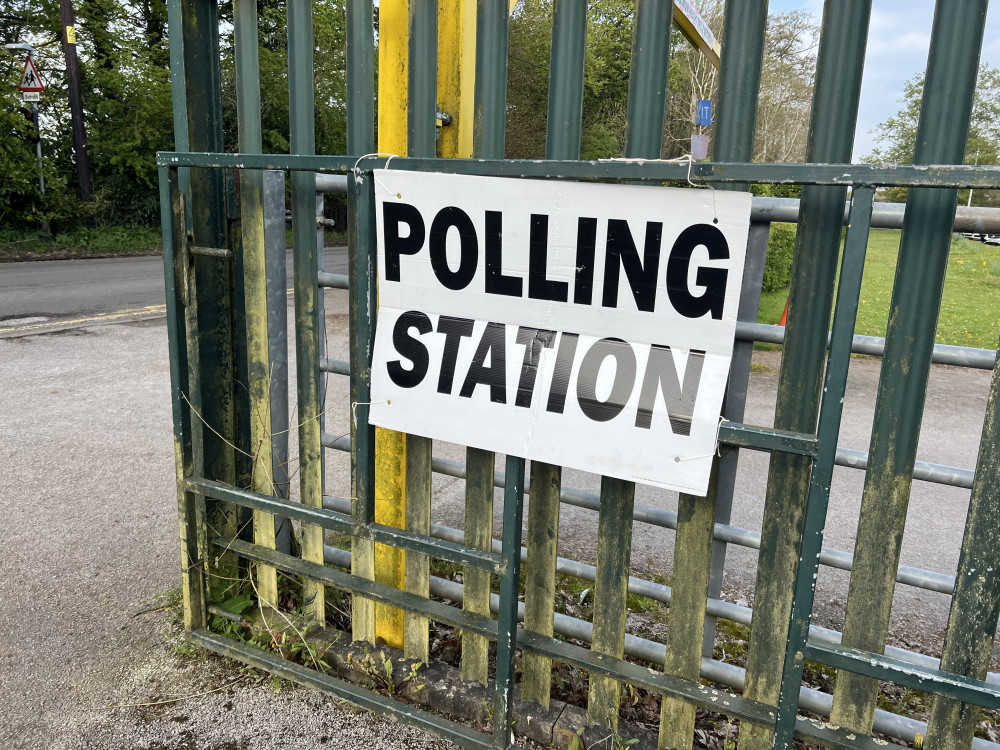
(277, 338)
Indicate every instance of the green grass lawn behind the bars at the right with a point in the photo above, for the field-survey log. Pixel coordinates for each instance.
(970, 310)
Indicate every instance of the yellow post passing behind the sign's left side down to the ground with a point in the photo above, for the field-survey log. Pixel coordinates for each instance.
(390, 446)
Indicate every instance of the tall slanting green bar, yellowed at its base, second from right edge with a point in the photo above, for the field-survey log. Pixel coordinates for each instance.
(942, 133)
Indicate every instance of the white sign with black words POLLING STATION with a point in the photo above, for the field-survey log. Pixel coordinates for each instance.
(585, 325)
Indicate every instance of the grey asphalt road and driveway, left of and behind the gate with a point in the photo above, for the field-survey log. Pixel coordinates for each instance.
(87, 498)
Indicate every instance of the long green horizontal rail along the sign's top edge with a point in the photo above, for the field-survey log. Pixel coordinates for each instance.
(652, 170)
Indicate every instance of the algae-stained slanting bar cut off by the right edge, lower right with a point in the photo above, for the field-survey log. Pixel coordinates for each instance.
(975, 606)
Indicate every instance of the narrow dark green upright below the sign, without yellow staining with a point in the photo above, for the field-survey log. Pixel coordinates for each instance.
(510, 553)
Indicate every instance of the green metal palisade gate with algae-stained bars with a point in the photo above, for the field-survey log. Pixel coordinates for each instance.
(214, 245)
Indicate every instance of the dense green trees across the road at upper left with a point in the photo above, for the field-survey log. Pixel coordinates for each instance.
(124, 59)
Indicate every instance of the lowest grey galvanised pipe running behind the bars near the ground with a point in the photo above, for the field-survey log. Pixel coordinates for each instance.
(894, 725)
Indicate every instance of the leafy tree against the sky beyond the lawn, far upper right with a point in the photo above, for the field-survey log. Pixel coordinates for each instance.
(896, 136)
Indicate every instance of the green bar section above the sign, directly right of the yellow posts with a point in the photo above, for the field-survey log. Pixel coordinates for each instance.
(490, 118)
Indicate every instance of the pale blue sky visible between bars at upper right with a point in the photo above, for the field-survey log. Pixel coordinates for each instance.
(898, 40)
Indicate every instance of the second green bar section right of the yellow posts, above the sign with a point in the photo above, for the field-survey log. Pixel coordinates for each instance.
(565, 115)
